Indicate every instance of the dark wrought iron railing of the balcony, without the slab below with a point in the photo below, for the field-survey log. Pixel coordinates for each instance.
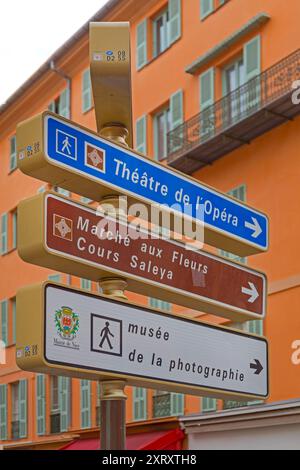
(256, 94)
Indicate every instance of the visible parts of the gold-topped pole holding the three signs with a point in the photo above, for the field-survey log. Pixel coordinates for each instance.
(111, 83)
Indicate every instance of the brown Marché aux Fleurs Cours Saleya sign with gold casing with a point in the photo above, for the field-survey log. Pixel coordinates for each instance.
(71, 237)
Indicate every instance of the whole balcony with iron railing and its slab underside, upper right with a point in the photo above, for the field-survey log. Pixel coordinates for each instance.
(252, 109)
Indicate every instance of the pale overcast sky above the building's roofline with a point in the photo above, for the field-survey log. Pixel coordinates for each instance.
(31, 30)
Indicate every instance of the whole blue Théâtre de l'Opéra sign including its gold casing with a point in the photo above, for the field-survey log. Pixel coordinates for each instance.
(58, 151)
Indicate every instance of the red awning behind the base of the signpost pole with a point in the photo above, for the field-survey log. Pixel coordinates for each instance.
(160, 440)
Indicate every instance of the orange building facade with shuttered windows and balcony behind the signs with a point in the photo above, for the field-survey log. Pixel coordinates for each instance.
(212, 96)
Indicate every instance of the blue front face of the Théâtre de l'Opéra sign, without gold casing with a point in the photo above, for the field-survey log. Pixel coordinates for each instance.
(125, 171)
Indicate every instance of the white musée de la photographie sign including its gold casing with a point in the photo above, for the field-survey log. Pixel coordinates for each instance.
(85, 335)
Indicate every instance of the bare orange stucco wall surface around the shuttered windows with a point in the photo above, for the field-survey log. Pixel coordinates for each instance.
(269, 167)
